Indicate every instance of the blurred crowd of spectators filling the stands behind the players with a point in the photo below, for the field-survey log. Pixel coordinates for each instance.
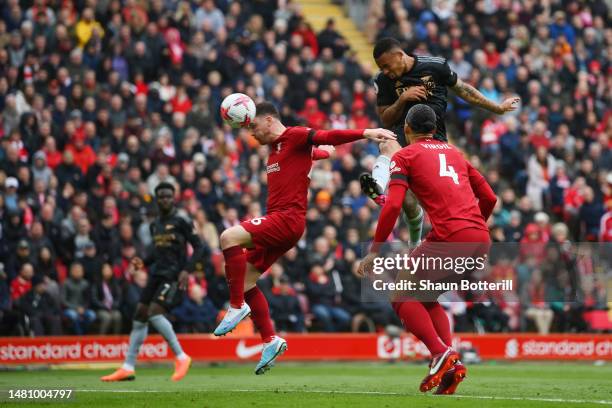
(102, 100)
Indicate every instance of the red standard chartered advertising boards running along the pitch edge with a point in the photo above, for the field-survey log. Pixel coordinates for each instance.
(303, 347)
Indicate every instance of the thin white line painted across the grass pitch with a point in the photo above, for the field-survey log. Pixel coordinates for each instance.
(398, 394)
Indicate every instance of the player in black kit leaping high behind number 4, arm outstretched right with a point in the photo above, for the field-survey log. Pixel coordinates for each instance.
(404, 81)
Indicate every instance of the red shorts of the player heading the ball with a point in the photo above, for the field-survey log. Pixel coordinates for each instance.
(273, 235)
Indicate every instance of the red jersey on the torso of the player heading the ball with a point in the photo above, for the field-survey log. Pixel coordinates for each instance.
(288, 167)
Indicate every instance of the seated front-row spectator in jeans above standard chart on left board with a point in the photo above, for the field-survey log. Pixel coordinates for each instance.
(76, 300)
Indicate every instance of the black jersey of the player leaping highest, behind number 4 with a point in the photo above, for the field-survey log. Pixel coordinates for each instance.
(431, 72)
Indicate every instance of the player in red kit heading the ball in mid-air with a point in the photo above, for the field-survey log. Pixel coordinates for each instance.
(253, 246)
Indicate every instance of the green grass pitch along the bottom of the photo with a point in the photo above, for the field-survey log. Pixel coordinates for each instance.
(319, 385)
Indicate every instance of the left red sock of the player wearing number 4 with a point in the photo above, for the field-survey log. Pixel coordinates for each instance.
(416, 320)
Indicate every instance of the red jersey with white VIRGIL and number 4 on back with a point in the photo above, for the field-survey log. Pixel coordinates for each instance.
(442, 180)
